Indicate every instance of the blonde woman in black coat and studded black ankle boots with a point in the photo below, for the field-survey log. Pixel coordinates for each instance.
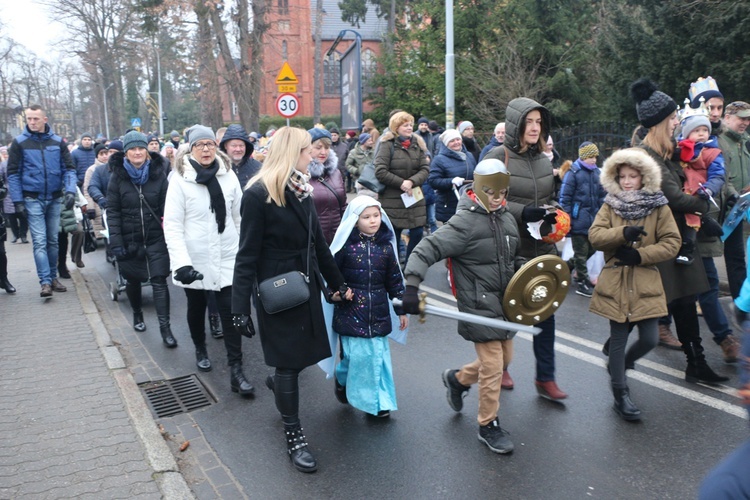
(276, 210)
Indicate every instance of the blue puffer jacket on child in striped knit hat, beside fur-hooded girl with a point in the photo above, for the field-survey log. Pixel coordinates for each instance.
(581, 196)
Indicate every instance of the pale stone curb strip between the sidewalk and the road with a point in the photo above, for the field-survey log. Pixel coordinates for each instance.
(167, 474)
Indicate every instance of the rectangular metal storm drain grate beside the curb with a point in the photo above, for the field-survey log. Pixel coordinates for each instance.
(167, 398)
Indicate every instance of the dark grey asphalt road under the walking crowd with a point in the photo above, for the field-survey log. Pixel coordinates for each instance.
(425, 450)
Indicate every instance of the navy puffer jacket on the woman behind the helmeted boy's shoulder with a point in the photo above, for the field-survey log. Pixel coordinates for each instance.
(444, 167)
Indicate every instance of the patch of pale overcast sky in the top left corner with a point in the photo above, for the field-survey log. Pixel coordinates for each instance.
(27, 23)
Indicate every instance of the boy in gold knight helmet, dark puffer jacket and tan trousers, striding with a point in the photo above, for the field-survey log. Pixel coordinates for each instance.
(481, 236)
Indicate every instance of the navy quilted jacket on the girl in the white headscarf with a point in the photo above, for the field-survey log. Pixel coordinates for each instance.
(370, 268)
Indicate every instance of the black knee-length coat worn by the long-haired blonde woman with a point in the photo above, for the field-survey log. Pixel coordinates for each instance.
(273, 240)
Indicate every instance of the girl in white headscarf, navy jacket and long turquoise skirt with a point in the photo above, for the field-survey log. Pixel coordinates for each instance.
(366, 252)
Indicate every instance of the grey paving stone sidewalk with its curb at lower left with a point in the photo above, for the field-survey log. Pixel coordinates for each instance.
(73, 423)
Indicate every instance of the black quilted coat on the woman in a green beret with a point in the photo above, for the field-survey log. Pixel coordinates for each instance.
(132, 226)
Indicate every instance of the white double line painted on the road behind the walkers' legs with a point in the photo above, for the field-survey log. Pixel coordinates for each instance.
(710, 401)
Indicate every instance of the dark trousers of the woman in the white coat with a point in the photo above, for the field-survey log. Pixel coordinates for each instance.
(196, 315)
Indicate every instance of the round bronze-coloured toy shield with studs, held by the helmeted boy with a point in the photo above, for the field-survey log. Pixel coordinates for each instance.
(537, 290)
